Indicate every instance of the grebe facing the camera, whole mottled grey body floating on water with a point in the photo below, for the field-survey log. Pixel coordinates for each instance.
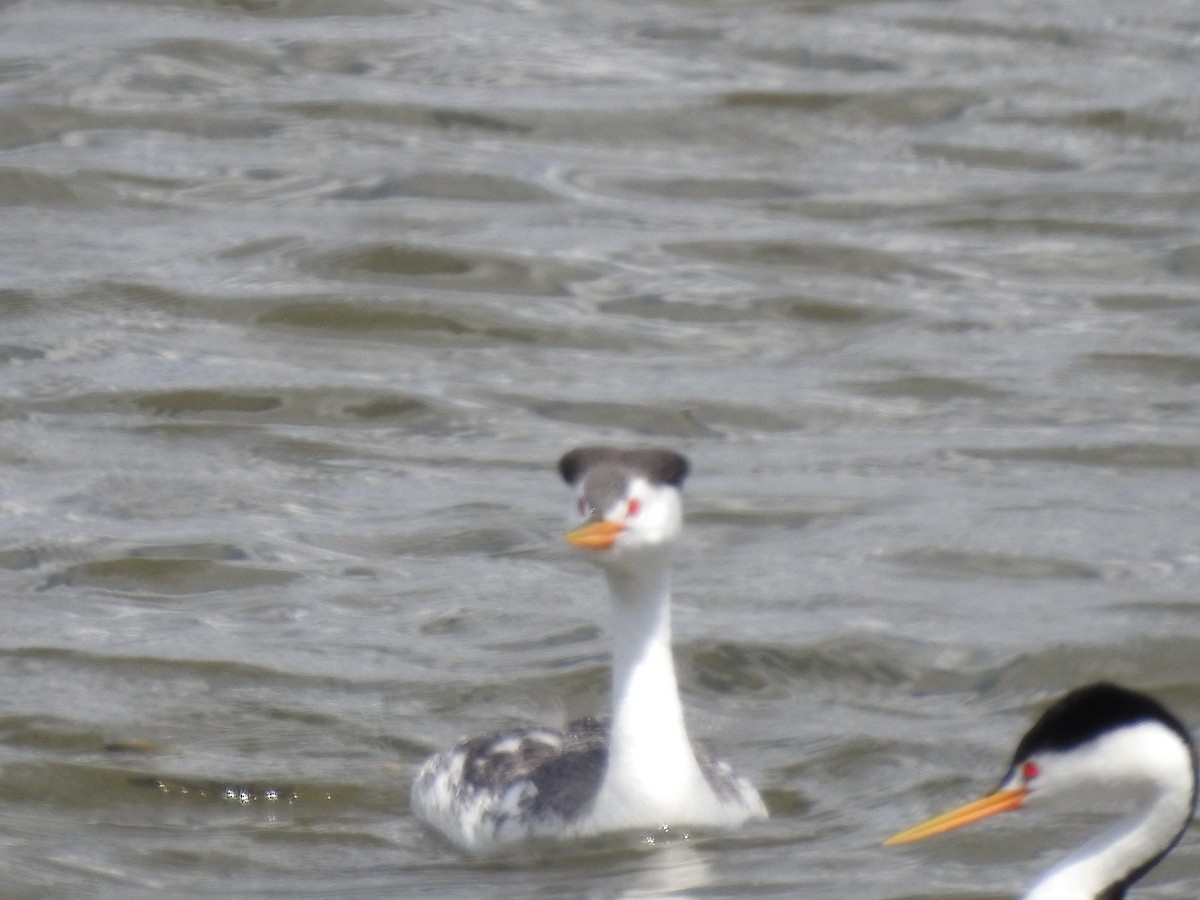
(639, 771)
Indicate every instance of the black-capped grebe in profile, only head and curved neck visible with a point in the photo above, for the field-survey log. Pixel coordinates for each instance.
(1100, 741)
